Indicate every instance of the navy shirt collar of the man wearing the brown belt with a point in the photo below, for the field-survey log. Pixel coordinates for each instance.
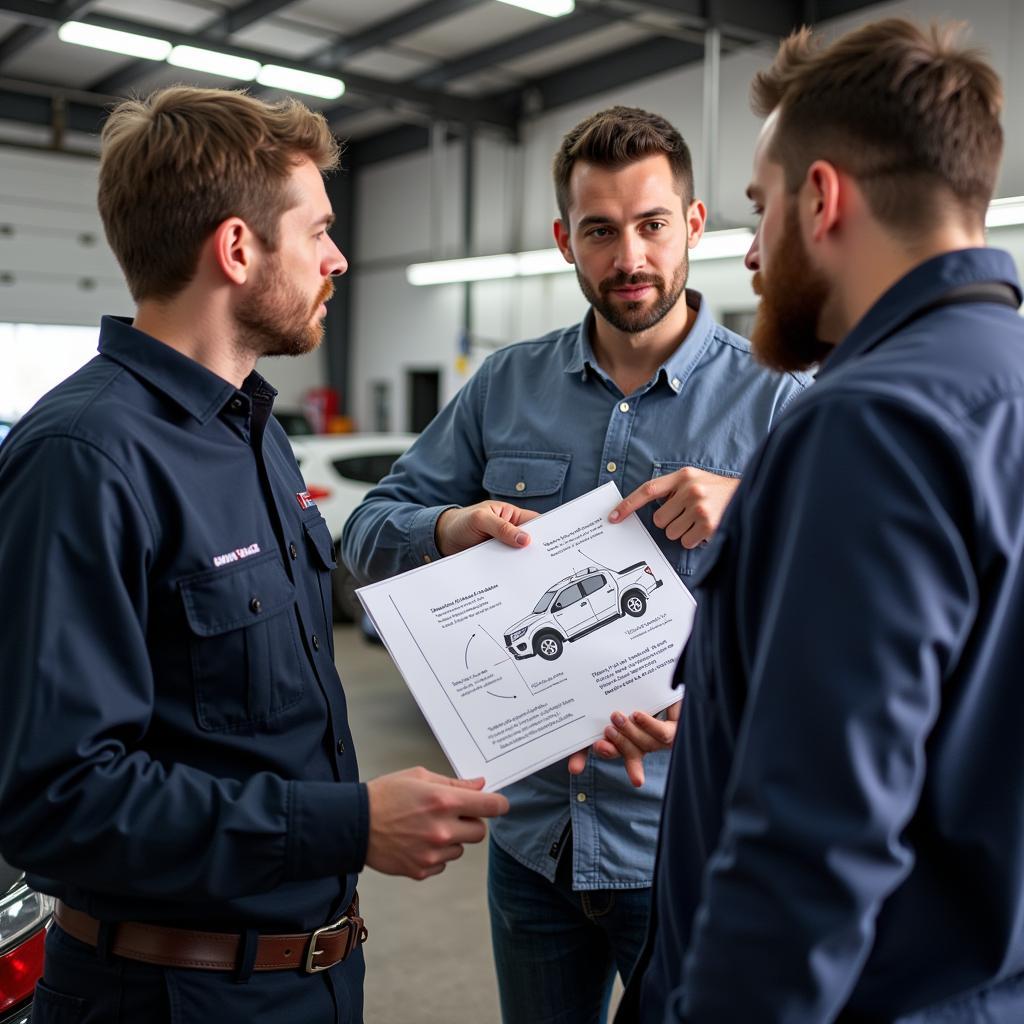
(198, 391)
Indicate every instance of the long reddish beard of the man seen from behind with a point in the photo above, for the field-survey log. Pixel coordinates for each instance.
(793, 294)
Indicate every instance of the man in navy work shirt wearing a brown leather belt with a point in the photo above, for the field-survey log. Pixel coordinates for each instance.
(176, 764)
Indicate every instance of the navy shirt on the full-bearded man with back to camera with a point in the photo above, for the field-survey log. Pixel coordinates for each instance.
(843, 837)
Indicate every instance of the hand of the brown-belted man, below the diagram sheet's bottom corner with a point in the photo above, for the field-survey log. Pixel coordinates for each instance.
(420, 821)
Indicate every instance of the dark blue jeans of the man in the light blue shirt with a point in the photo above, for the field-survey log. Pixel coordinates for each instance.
(557, 952)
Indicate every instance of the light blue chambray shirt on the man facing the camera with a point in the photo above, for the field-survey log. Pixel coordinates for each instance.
(540, 424)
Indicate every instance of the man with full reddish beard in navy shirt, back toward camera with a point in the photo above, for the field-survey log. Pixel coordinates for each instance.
(844, 829)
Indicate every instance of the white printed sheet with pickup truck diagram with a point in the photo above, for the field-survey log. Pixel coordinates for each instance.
(519, 657)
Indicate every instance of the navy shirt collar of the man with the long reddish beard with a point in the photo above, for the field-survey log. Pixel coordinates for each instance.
(919, 288)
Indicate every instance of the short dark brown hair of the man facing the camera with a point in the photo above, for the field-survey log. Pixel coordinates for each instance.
(619, 137)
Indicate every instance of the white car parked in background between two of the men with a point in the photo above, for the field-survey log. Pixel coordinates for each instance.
(339, 470)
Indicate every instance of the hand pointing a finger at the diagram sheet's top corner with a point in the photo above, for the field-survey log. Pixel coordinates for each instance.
(694, 502)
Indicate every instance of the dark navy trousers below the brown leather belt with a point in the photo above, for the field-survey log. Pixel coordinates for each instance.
(80, 988)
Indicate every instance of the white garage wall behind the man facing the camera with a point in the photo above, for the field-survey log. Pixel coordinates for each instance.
(398, 327)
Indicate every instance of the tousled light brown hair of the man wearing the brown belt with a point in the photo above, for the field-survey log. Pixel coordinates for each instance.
(181, 162)
